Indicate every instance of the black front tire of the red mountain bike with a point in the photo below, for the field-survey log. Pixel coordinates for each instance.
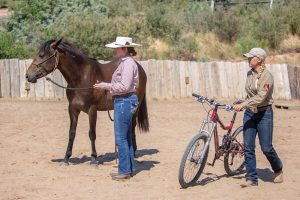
(184, 183)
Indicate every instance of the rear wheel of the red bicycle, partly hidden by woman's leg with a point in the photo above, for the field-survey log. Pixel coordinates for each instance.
(234, 161)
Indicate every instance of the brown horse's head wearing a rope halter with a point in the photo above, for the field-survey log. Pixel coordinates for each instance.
(45, 62)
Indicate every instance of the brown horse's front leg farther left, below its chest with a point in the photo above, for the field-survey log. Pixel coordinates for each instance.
(73, 114)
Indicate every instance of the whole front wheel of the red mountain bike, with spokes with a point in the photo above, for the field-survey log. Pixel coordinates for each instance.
(190, 166)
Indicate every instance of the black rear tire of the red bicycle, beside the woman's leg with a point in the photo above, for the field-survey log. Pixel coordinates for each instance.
(227, 165)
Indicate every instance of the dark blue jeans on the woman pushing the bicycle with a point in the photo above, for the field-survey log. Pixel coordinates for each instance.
(261, 123)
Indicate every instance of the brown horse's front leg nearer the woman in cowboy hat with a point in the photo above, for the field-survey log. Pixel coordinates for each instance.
(92, 132)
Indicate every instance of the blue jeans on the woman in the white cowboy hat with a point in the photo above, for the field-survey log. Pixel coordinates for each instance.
(124, 108)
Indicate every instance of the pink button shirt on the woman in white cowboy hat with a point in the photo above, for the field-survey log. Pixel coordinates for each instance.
(125, 79)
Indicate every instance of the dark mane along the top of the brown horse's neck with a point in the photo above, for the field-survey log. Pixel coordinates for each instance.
(65, 46)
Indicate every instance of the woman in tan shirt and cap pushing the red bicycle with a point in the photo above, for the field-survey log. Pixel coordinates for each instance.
(258, 117)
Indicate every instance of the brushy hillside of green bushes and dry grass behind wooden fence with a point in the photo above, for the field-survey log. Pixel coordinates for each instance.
(167, 29)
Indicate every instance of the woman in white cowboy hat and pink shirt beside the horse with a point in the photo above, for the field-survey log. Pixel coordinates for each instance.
(123, 86)
